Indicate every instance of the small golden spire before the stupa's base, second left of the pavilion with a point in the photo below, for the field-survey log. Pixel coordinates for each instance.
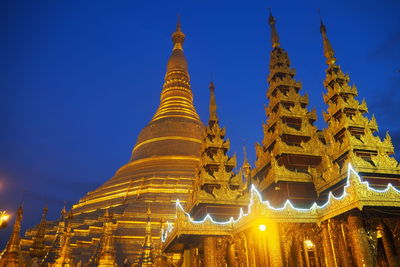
(107, 252)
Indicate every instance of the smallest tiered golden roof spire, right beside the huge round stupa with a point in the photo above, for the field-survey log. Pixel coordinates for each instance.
(217, 189)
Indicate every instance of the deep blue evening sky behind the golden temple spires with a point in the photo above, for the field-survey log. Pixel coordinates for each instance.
(80, 79)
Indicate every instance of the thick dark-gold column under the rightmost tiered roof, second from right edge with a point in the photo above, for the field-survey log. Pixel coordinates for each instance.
(361, 250)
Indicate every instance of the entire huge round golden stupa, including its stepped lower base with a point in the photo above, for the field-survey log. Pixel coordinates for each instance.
(161, 170)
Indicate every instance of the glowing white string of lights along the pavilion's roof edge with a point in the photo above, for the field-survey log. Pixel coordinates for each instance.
(288, 204)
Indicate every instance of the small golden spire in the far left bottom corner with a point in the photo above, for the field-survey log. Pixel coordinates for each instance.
(11, 254)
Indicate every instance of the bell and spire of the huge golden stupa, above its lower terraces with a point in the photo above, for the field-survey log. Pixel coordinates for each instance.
(167, 149)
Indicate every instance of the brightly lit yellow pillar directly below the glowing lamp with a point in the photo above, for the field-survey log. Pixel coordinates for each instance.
(274, 245)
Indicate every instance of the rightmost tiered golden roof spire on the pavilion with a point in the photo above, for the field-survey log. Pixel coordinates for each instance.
(350, 133)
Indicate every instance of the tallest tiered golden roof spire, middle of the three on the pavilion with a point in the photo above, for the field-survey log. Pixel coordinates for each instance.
(290, 146)
